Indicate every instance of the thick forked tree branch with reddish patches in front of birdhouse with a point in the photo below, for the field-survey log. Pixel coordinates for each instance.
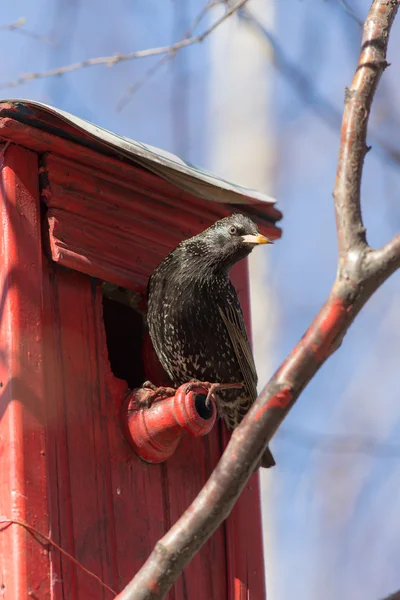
(361, 271)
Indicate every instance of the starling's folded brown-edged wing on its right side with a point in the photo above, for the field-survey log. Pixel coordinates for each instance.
(232, 316)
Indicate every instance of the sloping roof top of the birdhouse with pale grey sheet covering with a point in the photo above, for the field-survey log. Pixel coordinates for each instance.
(165, 164)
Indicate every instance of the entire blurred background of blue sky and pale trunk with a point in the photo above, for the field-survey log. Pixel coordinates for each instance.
(259, 101)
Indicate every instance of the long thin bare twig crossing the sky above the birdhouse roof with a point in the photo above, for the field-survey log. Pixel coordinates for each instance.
(111, 61)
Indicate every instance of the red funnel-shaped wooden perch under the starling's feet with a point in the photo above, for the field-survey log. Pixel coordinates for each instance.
(154, 433)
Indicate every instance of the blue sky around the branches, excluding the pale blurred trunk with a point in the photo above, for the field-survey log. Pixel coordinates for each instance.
(335, 523)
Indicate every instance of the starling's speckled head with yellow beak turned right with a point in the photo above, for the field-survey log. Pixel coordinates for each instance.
(226, 242)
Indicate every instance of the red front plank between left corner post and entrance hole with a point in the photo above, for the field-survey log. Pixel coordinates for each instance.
(79, 432)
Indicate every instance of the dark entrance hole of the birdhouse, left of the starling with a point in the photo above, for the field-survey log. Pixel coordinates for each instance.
(124, 327)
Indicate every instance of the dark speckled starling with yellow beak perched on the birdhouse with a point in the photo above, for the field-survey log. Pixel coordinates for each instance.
(195, 319)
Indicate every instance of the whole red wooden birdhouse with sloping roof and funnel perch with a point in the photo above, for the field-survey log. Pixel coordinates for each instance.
(86, 216)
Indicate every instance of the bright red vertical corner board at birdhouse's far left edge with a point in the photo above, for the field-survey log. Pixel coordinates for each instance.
(24, 561)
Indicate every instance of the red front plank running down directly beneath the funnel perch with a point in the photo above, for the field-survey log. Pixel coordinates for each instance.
(136, 488)
